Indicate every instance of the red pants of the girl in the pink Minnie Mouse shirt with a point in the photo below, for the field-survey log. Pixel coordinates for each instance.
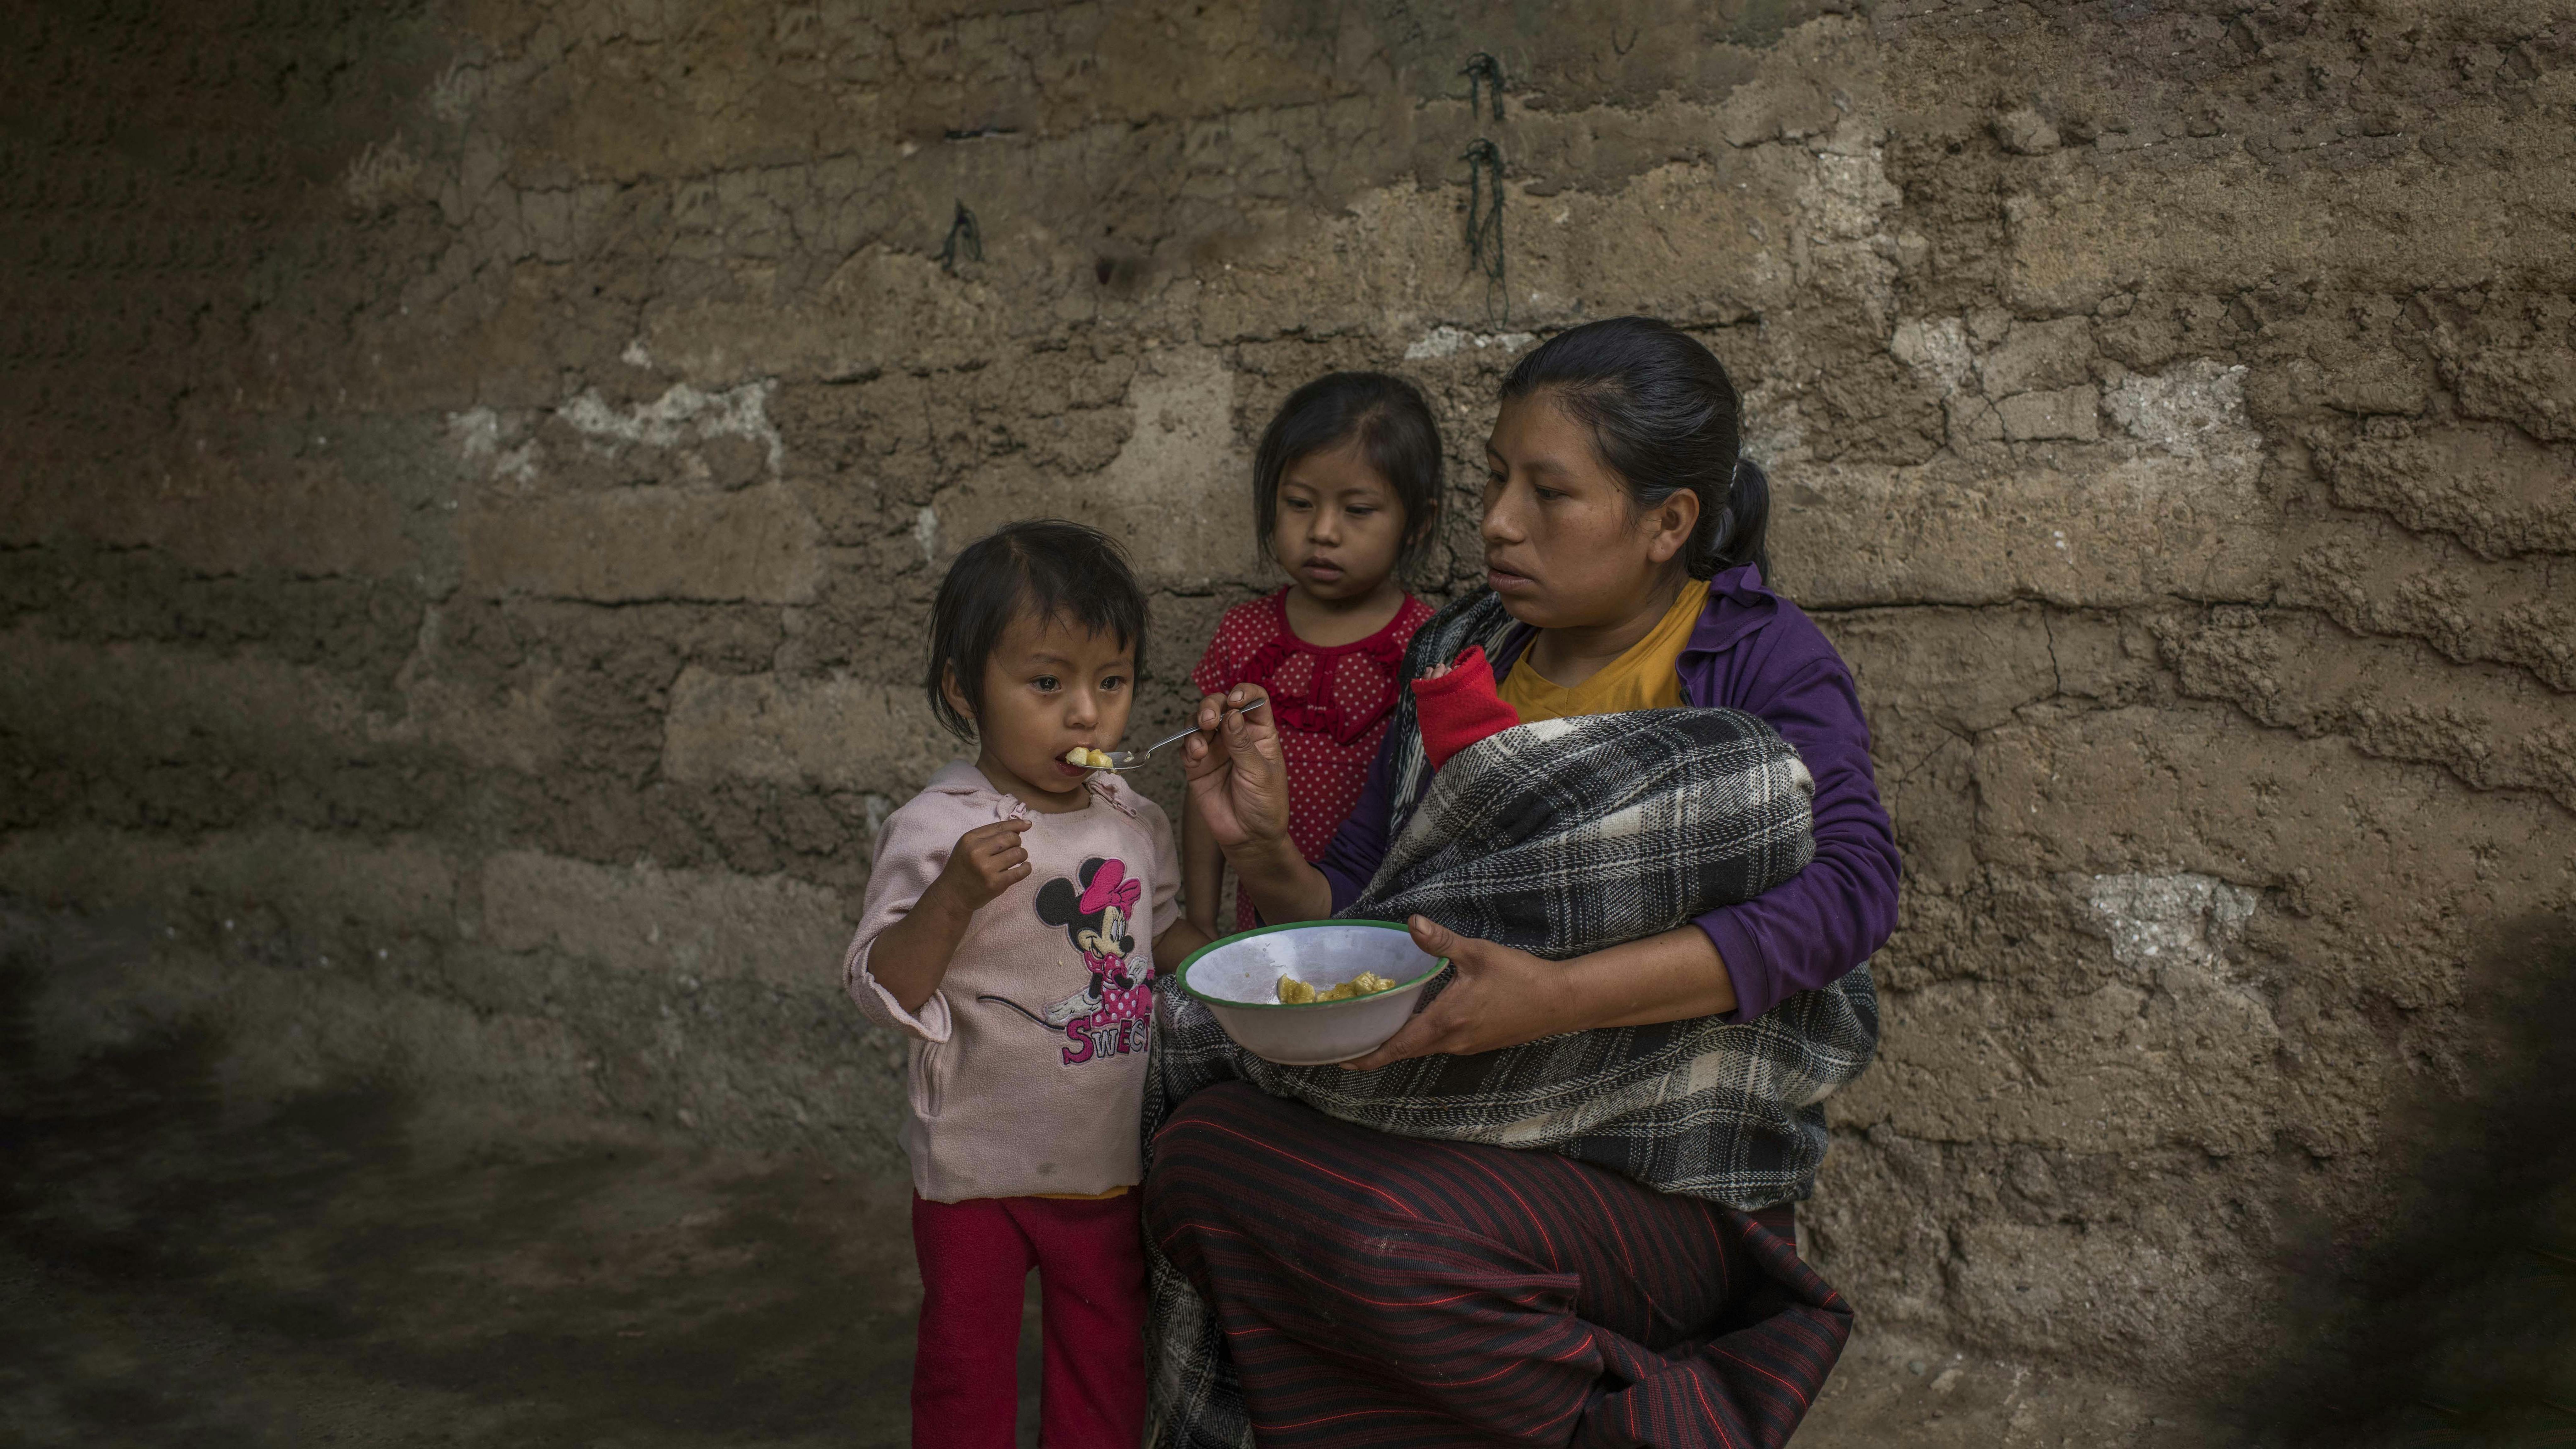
(967, 1357)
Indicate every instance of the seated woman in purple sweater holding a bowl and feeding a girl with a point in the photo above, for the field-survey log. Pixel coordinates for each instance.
(1632, 1280)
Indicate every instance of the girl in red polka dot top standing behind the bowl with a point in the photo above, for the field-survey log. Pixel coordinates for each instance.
(1346, 486)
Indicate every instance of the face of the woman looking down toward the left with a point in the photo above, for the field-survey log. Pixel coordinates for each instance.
(1562, 540)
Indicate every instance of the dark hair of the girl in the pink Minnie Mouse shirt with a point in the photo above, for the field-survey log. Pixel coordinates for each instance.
(1047, 569)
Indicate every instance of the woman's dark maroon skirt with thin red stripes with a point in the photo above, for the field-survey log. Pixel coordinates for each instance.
(1390, 1290)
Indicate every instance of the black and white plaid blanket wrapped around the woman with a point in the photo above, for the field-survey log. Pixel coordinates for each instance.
(1557, 839)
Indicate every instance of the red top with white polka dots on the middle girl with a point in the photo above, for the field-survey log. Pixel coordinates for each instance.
(1331, 708)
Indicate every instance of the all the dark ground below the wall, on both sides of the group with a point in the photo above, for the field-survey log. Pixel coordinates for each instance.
(187, 1270)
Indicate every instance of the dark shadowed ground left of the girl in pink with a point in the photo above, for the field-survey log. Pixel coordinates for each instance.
(179, 1272)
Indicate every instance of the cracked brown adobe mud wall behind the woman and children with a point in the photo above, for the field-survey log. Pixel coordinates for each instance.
(475, 476)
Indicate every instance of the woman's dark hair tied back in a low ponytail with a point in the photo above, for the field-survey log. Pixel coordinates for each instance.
(1665, 419)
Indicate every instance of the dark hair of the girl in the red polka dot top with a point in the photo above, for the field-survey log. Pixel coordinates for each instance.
(1385, 416)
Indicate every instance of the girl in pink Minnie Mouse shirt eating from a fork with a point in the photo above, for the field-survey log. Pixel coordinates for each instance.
(1011, 932)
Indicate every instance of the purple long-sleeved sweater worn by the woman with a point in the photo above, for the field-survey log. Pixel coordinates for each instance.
(1758, 654)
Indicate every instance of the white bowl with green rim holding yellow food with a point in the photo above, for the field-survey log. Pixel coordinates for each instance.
(1240, 976)
